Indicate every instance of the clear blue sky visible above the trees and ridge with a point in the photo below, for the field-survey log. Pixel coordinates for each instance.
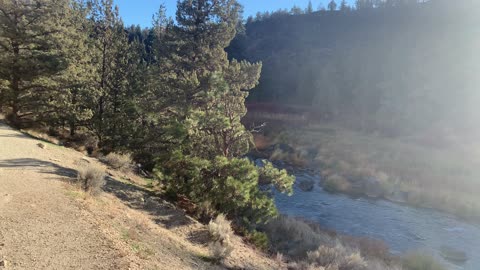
(141, 11)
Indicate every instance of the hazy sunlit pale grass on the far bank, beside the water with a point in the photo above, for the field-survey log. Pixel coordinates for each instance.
(444, 178)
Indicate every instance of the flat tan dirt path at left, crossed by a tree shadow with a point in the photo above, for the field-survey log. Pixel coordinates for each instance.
(40, 227)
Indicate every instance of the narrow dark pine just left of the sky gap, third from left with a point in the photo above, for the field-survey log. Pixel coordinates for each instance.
(112, 67)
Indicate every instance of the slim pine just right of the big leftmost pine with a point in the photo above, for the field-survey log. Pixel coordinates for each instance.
(75, 103)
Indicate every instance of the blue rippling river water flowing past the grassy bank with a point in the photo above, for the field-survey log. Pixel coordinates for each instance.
(403, 228)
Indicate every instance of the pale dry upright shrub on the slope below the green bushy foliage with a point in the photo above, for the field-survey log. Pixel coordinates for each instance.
(222, 235)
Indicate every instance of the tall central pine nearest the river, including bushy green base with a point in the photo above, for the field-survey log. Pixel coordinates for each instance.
(205, 162)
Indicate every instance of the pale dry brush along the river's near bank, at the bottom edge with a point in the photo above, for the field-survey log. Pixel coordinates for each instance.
(309, 247)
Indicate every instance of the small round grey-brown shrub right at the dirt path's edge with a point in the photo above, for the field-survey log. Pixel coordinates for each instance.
(91, 178)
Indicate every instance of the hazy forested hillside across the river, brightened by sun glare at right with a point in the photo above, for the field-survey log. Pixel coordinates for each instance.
(394, 69)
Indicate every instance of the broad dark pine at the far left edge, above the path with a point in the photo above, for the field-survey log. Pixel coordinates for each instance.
(31, 56)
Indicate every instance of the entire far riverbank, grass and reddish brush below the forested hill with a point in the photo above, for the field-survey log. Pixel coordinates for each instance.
(403, 170)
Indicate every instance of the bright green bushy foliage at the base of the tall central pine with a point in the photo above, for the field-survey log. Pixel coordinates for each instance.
(229, 186)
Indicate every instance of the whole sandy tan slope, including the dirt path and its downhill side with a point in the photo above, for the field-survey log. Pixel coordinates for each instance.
(47, 223)
